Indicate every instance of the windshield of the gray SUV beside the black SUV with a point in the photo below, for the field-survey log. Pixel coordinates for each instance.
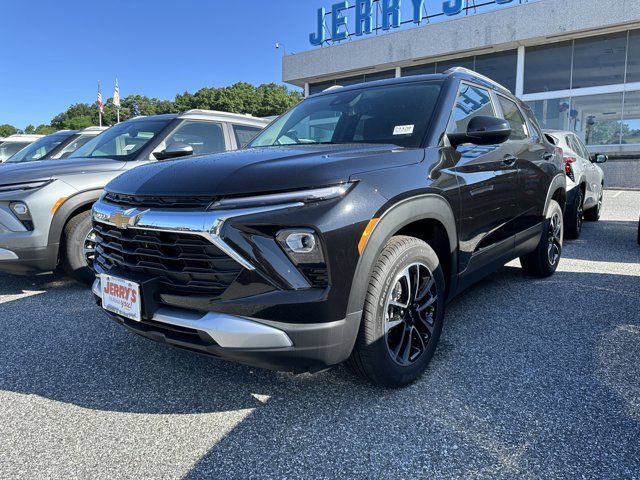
(122, 141)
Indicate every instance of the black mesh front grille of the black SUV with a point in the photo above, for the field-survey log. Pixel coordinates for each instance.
(182, 263)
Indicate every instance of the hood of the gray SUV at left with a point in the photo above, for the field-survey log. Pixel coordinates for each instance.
(48, 169)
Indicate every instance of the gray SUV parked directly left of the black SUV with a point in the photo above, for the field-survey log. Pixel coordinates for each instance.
(45, 206)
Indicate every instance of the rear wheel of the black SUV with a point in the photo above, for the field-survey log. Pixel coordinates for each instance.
(541, 262)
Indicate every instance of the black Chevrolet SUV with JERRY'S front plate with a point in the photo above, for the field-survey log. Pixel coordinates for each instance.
(340, 233)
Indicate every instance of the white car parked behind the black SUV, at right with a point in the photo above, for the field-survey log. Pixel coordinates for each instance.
(585, 181)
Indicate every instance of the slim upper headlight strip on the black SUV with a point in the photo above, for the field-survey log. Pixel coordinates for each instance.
(304, 196)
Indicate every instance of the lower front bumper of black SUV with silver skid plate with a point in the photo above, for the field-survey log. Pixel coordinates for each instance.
(261, 343)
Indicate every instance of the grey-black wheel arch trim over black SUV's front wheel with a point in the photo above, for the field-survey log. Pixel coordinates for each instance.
(422, 207)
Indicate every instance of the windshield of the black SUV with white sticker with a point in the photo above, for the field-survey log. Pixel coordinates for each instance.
(390, 114)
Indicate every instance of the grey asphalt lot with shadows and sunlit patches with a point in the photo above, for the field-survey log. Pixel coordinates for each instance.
(532, 379)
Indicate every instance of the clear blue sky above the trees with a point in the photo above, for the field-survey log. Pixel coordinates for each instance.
(54, 52)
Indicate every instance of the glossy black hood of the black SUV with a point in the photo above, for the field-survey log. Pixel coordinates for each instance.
(259, 170)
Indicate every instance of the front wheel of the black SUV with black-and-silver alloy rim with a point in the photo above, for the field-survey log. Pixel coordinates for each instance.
(417, 331)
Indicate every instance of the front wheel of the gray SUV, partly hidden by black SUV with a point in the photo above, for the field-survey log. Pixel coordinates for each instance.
(73, 259)
